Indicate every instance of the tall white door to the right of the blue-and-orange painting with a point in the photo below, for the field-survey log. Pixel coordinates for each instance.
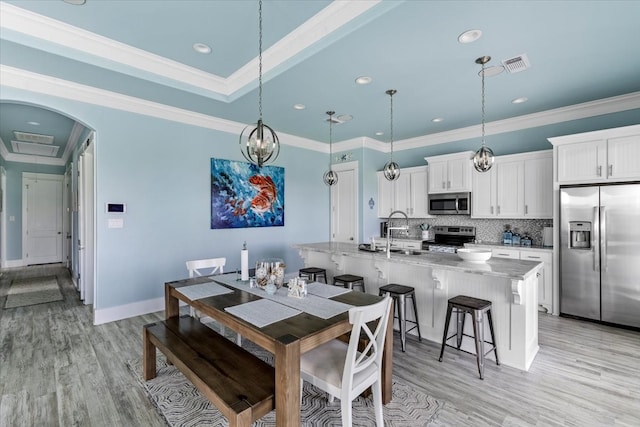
(344, 203)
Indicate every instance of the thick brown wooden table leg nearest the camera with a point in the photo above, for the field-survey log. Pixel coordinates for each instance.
(287, 364)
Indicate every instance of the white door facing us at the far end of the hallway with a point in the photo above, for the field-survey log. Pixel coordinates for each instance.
(41, 218)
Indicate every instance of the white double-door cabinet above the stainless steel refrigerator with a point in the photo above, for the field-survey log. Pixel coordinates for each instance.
(602, 156)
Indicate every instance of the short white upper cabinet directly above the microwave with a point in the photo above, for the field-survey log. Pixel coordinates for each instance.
(450, 173)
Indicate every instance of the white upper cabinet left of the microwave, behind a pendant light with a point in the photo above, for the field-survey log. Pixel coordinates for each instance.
(408, 193)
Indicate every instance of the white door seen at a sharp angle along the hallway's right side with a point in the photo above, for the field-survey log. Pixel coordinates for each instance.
(86, 225)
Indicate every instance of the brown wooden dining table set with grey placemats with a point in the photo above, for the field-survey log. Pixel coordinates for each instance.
(284, 325)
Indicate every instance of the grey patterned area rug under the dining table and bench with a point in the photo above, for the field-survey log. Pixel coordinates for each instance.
(181, 404)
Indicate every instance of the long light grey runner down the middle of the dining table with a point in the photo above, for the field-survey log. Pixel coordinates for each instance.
(312, 304)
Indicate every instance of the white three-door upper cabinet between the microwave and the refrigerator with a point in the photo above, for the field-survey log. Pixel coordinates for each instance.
(517, 186)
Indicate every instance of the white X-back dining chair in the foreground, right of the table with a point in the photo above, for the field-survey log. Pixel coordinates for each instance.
(344, 372)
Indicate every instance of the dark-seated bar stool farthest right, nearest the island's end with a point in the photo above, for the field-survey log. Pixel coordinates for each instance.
(477, 308)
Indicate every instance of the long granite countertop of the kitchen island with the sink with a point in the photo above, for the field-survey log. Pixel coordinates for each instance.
(499, 267)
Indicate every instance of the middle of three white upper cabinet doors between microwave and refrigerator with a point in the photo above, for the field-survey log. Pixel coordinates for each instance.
(510, 189)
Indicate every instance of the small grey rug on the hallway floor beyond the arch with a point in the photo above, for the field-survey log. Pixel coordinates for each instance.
(31, 291)
